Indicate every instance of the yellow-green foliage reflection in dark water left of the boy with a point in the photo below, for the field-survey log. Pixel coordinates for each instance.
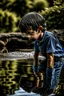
(10, 72)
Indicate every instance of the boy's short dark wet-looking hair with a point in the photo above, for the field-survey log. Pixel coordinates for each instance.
(31, 20)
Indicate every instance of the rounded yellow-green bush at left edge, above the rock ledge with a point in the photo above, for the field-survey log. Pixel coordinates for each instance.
(8, 21)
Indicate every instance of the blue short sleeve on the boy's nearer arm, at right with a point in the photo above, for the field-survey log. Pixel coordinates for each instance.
(50, 45)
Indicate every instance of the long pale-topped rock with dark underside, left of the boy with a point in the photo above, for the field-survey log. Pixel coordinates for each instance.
(16, 40)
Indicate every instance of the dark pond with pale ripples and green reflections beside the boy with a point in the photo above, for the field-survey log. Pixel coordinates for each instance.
(13, 67)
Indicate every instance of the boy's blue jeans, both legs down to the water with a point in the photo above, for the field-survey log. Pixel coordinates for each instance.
(51, 76)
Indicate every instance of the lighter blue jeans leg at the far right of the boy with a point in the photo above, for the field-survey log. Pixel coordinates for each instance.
(56, 74)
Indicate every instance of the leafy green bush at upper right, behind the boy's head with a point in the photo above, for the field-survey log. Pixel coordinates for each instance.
(54, 17)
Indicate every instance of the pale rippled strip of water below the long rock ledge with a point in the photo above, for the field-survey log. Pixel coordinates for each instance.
(19, 56)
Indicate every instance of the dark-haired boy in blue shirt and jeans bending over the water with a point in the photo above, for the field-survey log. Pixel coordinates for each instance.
(33, 24)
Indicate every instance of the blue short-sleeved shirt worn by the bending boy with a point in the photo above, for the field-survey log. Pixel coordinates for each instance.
(49, 44)
